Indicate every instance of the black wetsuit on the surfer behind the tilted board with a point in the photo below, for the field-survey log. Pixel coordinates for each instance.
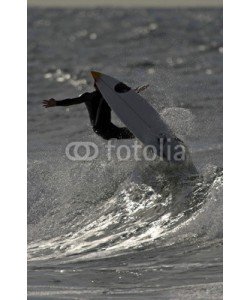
(100, 115)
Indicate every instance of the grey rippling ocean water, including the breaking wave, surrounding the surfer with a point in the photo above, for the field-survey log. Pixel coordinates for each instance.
(109, 229)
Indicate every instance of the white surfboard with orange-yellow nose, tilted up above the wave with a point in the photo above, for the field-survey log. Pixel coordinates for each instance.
(140, 117)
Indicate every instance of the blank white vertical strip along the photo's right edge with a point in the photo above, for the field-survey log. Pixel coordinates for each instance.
(236, 143)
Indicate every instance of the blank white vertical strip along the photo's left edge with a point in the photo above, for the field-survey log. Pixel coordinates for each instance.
(13, 149)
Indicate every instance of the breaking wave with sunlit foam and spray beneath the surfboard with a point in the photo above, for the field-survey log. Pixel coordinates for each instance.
(82, 214)
